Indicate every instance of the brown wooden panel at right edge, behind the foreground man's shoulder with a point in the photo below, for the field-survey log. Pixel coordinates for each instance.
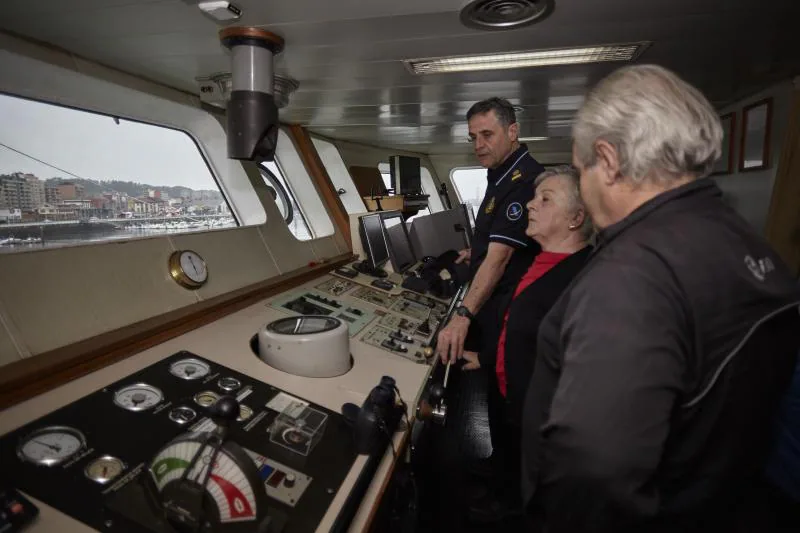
(783, 220)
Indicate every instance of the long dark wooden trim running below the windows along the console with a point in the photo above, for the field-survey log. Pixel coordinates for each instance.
(32, 376)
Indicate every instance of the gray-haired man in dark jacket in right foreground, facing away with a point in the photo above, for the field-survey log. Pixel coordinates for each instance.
(659, 371)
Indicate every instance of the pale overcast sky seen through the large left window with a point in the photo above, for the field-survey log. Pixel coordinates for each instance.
(95, 147)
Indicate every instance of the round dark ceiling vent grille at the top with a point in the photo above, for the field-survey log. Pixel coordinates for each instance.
(496, 15)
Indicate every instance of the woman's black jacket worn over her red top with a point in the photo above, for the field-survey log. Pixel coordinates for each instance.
(525, 312)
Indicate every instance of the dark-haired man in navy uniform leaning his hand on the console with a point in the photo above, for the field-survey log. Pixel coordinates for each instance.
(501, 252)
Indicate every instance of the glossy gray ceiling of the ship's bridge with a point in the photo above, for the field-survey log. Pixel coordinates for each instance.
(347, 55)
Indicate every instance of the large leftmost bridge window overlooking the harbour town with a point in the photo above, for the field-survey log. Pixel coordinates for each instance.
(69, 176)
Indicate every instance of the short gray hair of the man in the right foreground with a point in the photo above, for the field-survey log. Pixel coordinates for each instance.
(662, 127)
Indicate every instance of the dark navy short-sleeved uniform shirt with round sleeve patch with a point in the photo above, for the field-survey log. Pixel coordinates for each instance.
(503, 216)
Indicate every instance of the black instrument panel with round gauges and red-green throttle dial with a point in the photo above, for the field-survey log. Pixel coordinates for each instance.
(89, 458)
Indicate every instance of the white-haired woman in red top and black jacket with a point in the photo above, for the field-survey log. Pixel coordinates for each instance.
(557, 220)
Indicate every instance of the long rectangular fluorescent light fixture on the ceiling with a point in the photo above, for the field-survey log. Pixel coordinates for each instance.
(532, 58)
